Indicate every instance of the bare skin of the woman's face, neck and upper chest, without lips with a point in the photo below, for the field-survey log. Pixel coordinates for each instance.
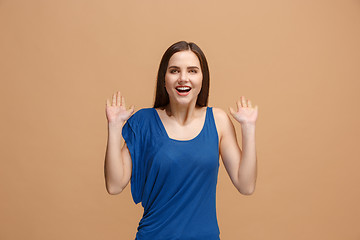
(182, 119)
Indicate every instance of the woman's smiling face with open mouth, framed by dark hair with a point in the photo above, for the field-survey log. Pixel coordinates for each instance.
(183, 78)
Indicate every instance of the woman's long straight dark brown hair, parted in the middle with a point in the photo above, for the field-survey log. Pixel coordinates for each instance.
(162, 97)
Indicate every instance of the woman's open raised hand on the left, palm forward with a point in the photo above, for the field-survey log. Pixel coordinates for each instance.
(116, 112)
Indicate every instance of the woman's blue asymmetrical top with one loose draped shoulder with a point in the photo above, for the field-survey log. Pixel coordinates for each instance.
(175, 180)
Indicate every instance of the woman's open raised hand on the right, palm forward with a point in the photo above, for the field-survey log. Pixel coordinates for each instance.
(245, 113)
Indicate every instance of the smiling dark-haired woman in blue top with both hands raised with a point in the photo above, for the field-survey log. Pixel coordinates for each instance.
(171, 151)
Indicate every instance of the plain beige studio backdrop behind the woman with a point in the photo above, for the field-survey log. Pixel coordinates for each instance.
(299, 61)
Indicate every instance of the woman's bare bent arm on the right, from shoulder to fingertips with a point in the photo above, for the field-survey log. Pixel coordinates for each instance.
(240, 165)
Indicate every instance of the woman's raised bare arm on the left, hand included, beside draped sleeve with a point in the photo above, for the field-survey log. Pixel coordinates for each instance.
(118, 164)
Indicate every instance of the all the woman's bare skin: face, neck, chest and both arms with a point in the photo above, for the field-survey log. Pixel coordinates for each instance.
(183, 120)
